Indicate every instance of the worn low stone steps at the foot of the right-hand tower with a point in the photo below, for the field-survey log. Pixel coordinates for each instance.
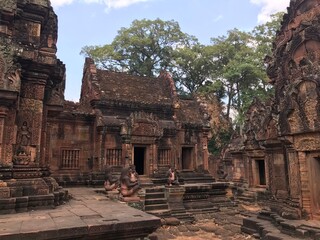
(270, 226)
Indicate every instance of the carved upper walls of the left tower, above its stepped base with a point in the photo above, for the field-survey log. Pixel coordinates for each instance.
(31, 78)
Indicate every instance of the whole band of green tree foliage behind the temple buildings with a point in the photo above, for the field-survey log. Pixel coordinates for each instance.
(231, 68)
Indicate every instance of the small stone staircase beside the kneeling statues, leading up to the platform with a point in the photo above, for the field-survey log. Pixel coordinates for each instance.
(156, 202)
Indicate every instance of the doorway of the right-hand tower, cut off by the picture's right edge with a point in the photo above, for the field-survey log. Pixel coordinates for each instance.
(314, 179)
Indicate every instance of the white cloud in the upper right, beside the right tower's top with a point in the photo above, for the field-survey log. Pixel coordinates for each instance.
(269, 7)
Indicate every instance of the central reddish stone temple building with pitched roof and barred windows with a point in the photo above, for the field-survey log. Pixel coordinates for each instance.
(125, 120)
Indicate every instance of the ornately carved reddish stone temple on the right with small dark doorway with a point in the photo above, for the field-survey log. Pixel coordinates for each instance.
(281, 147)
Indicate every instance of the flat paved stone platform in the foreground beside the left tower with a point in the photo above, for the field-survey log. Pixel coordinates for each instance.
(88, 215)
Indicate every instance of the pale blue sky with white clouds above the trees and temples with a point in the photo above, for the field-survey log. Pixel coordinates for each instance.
(96, 22)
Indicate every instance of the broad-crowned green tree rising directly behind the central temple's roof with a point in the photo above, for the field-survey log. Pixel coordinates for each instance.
(145, 48)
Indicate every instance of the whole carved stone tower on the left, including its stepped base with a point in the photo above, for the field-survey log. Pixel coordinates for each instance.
(31, 90)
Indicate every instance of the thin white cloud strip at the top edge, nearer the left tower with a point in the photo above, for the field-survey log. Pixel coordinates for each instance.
(110, 4)
